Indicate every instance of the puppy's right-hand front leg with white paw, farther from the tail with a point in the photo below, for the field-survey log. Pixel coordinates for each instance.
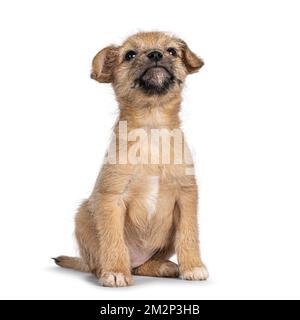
(187, 244)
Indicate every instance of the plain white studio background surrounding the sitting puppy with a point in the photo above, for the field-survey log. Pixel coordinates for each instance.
(240, 113)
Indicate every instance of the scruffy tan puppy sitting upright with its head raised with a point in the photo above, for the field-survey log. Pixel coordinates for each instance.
(141, 212)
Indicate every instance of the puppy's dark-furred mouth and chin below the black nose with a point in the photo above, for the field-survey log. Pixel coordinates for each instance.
(155, 80)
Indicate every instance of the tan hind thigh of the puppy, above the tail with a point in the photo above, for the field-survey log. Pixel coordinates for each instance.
(85, 233)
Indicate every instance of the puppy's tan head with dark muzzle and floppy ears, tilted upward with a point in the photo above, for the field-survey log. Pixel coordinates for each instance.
(147, 66)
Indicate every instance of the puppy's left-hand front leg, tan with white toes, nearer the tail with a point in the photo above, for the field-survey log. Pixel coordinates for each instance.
(114, 269)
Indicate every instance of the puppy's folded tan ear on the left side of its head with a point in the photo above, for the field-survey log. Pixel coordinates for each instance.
(103, 64)
